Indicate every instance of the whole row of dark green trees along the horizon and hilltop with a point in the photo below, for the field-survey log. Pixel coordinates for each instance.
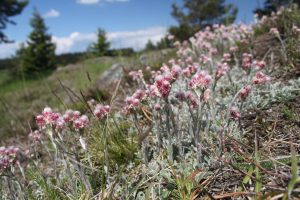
(37, 54)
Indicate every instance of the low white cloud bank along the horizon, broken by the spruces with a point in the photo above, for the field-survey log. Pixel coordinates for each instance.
(80, 41)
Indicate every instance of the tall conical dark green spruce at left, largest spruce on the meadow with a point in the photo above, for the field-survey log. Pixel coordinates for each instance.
(38, 55)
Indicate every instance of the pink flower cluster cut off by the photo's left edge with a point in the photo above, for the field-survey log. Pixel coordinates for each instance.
(8, 157)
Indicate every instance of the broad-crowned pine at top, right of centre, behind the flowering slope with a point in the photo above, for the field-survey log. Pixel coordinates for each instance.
(197, 14)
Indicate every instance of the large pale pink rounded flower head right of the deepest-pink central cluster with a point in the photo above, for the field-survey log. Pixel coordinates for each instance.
(200, 80)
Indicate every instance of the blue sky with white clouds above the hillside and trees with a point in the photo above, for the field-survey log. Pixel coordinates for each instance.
(129, 23)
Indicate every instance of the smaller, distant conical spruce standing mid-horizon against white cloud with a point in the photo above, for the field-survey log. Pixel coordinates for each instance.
(101, 46)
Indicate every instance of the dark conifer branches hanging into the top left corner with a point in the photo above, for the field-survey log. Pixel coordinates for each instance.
(9, 8)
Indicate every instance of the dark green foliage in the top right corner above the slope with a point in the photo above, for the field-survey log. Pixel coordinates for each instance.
(272, 6)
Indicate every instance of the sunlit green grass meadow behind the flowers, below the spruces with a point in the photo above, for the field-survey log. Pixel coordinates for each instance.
(21, 100)
